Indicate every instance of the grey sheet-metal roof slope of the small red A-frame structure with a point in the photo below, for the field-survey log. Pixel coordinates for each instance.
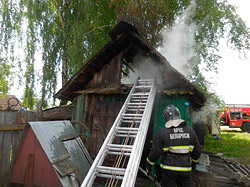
(64, 149)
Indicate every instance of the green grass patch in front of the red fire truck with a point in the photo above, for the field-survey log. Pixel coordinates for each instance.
(233, 144)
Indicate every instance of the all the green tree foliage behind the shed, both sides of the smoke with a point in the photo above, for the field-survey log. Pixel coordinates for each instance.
(67, 33)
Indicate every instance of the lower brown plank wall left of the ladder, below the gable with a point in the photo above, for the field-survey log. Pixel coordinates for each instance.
(100, 114)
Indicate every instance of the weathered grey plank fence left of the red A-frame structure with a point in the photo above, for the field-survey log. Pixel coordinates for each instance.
(9, 139)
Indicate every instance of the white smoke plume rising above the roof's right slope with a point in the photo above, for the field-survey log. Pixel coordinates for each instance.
(179, 40)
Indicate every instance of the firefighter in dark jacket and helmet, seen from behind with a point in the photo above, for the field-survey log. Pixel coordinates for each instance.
(179, 147)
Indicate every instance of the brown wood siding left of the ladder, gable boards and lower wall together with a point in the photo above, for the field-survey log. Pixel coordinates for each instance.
(98, 111)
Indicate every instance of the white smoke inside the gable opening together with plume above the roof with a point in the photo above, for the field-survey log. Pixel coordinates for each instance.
(177, 48)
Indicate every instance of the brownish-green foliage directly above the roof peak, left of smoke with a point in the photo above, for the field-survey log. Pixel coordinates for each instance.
(149, 17)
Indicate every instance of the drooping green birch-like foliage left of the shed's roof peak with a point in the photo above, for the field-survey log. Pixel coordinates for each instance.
(65, 33)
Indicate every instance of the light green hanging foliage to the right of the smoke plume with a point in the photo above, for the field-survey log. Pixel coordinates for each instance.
(215, 20)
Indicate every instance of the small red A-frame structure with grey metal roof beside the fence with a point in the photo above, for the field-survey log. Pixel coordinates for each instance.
(50, 154)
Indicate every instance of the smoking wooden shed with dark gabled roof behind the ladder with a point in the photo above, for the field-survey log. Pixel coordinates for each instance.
(100, 87)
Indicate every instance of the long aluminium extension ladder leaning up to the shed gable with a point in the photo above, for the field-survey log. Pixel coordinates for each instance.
(125, 140)
